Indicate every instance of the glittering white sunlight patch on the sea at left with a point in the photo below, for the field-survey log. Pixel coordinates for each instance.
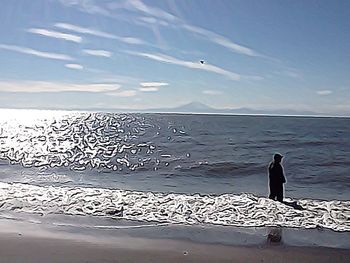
(77, 140)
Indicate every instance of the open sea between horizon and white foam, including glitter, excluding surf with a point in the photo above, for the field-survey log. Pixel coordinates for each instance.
(182, 153)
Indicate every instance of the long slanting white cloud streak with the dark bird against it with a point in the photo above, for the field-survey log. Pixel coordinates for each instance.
(189, 64)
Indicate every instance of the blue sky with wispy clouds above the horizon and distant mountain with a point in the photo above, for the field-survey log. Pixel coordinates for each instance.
(138, 54)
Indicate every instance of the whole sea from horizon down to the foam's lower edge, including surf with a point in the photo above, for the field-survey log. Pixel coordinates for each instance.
(175, 168)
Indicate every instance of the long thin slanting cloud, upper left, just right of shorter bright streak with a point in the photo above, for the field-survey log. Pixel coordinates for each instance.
(99, 33)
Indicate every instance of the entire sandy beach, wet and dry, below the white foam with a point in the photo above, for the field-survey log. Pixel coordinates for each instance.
(42, 239)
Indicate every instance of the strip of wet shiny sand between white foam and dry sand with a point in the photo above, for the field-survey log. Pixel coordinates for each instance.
(106, 228)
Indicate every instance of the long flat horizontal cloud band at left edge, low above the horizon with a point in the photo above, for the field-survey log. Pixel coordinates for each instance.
(44, 86)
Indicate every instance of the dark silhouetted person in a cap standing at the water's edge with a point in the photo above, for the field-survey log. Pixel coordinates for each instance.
(276, 178)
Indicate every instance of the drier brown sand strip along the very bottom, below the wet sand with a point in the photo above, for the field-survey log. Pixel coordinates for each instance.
(19, 248)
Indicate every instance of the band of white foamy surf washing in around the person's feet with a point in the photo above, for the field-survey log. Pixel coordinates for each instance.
(246, 210)
